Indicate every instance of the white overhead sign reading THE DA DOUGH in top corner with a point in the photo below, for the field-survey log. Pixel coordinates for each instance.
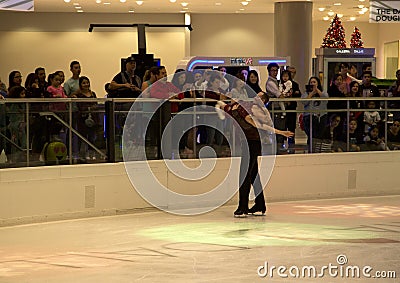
(387, 11)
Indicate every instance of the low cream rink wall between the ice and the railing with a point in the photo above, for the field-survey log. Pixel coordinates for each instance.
(40, 194)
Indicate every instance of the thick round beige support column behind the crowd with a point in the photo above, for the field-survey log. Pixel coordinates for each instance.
(293, 36)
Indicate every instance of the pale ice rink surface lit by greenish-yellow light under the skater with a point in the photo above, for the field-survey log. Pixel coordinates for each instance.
(335, 240)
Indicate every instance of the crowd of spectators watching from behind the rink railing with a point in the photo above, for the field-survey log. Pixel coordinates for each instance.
(362, 128)
